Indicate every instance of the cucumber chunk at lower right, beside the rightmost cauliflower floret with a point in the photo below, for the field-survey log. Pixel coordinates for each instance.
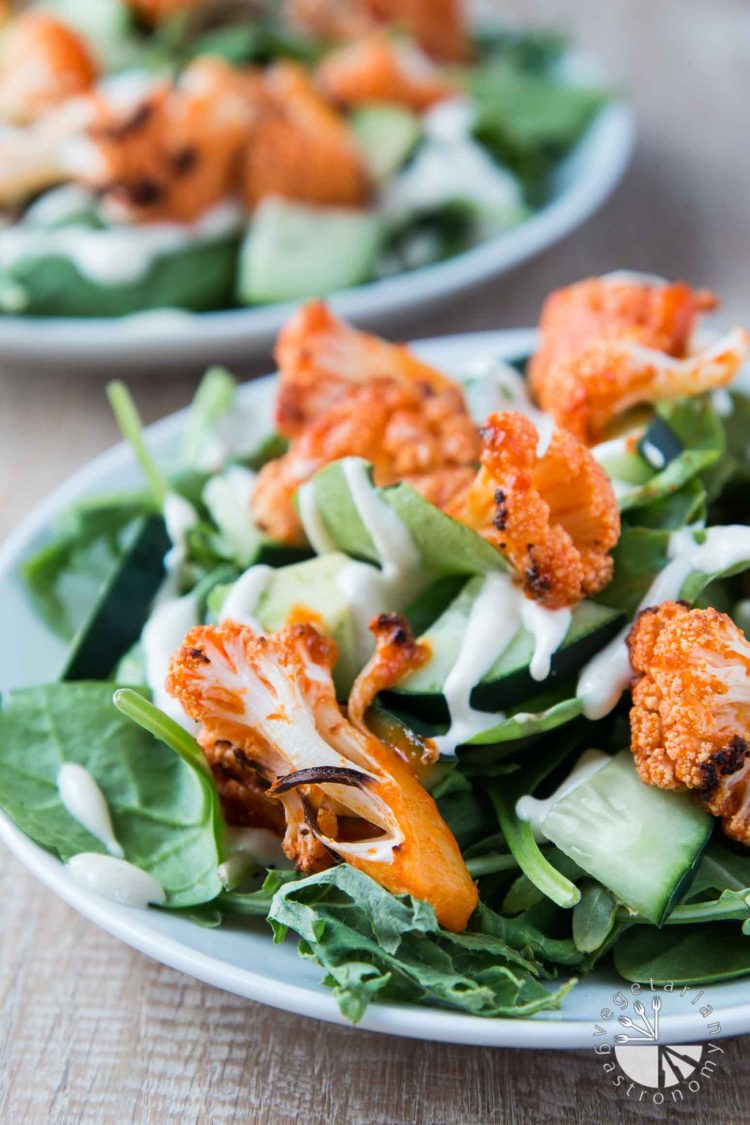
(640, 842)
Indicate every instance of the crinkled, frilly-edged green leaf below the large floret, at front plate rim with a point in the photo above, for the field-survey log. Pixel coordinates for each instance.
(376, 946)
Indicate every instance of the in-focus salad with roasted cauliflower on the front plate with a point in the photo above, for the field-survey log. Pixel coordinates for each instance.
(446, 677)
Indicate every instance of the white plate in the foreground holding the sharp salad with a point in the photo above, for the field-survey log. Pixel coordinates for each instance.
(246, 961)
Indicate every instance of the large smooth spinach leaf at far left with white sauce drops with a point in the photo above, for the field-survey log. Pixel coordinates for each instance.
(164, 811)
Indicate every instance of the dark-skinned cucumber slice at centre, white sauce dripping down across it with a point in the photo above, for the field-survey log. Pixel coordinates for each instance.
(510, 679)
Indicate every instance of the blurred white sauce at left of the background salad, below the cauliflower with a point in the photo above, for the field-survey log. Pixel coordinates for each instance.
(116, 255)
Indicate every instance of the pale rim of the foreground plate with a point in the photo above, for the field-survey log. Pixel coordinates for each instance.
(547, 1031)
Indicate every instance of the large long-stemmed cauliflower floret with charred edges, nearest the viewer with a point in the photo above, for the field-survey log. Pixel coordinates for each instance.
(274, 698)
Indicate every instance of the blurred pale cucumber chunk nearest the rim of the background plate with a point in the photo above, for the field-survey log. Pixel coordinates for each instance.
(292, 251)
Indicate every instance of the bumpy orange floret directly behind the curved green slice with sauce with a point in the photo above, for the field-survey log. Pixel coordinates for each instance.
(408, 431)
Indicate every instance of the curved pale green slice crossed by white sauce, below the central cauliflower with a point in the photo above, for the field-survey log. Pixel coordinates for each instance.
(446, 546)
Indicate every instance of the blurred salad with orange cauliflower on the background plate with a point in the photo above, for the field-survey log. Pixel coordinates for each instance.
(205, 156)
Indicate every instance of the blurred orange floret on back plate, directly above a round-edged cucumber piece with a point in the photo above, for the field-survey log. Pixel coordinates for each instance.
(378, 69)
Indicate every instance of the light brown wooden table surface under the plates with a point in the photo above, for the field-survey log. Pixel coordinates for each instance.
(93, 1032)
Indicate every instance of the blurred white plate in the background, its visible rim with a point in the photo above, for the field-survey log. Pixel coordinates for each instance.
(165, 339)
